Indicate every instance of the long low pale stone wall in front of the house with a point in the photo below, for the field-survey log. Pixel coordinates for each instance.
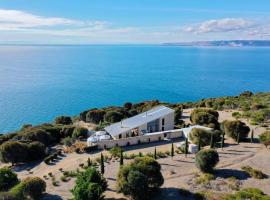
(148, 138)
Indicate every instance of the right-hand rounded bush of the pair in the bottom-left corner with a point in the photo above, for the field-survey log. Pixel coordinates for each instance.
(32, 187)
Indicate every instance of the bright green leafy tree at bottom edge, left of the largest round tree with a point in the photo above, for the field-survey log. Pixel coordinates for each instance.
(90, 184)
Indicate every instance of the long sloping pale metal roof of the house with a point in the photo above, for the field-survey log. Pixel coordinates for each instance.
(138, 120)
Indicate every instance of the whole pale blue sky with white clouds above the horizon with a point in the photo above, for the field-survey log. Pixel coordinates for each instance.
(131, 22)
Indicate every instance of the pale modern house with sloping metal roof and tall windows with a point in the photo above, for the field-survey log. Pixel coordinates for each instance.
(158, 119)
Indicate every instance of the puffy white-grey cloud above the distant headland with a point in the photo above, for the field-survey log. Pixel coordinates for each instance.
(221, 25)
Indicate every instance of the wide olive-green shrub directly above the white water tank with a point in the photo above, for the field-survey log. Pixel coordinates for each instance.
(204, 136)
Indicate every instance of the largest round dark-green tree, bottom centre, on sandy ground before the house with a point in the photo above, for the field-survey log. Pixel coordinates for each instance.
(144, 171)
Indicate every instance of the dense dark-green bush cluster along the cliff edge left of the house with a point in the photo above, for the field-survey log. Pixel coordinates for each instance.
(30, 142)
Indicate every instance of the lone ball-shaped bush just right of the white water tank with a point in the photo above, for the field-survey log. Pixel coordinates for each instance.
(207, 159)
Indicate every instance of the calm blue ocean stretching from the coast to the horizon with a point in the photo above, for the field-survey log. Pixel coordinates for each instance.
(38, 83)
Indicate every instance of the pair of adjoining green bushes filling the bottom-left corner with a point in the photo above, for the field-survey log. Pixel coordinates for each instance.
(12, 188)
